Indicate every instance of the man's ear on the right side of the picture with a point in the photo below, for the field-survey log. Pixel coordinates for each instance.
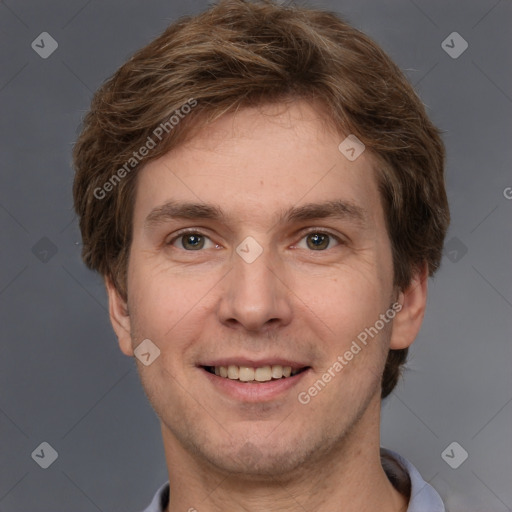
(407, 322)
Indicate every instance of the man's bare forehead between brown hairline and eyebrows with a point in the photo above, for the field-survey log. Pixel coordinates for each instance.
(258, 161)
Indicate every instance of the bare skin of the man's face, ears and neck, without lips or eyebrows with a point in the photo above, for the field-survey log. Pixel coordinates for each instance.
(293, 301)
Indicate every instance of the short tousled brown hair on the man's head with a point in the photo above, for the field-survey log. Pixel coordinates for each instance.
(239, 54)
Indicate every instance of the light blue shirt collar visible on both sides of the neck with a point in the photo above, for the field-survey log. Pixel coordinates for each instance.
(424, 497)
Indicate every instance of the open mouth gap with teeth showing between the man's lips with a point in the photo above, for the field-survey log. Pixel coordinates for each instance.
(258, 374)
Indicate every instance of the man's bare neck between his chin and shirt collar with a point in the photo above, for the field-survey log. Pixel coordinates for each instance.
(349, 477)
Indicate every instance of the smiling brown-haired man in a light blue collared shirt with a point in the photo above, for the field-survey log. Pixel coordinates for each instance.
(263, 193)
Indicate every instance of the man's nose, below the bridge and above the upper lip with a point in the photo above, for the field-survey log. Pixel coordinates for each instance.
(255, 296)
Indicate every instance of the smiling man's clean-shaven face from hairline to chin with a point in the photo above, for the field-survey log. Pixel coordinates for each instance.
(259, 245)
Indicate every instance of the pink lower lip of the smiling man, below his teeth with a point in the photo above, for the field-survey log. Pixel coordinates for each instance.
(254, 391)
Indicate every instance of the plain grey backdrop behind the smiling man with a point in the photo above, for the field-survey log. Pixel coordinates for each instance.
(63, 379)
